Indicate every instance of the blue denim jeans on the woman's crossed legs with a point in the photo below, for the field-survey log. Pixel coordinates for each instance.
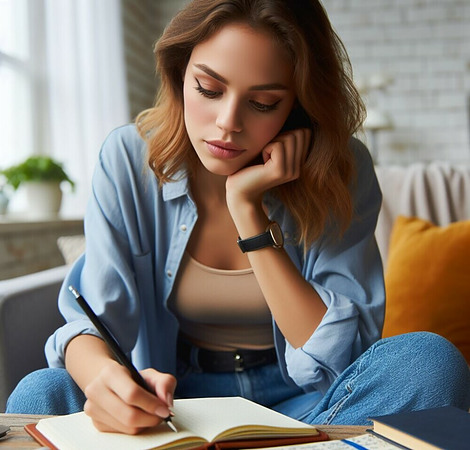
(403, 373)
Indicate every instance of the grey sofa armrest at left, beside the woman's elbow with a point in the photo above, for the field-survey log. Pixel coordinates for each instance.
(28, 316)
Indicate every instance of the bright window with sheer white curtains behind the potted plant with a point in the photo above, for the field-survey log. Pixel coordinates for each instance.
(62, 85)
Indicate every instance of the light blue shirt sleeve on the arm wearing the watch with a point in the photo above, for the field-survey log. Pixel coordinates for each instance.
(348, 276)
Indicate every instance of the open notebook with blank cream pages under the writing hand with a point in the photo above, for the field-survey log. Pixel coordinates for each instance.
(231, 422)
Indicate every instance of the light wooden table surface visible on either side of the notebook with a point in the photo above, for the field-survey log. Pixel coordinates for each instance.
(17, 438)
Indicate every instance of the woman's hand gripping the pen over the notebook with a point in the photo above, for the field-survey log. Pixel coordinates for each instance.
(116, 403)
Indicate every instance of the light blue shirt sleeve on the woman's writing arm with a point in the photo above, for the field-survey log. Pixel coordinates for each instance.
(105, 274)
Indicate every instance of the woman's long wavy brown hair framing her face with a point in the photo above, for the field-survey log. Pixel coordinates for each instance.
(326, 99)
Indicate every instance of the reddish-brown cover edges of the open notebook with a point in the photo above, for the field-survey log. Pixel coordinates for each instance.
(252, 443)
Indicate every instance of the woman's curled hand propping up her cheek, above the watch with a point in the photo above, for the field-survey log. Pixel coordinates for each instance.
(282, 161)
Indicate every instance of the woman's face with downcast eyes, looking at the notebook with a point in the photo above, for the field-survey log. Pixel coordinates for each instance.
(238, 92)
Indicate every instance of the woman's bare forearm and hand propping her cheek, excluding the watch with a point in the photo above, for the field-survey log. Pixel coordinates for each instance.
(275, 272)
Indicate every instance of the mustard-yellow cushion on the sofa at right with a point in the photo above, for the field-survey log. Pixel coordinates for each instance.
(427, 280)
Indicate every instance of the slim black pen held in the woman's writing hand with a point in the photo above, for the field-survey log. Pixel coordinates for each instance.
(114, 347)
